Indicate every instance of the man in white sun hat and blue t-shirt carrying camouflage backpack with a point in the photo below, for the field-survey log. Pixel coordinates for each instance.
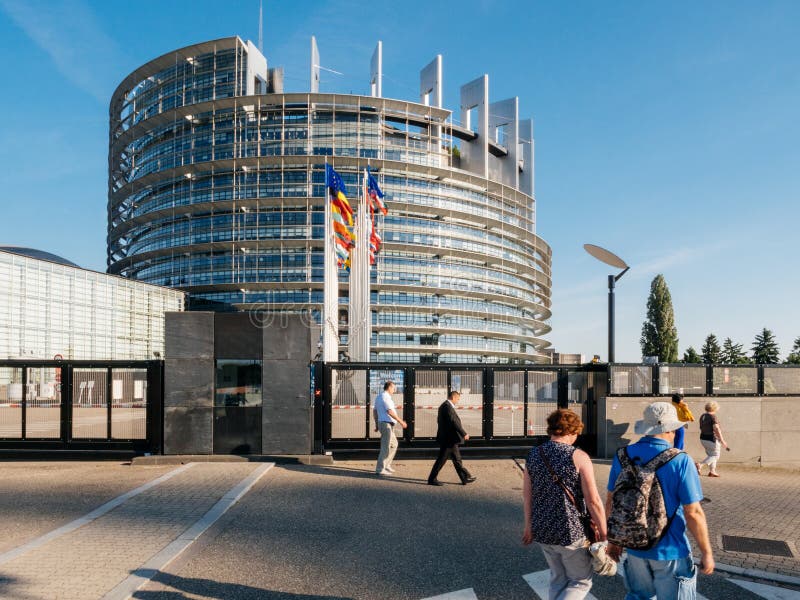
(653, 497)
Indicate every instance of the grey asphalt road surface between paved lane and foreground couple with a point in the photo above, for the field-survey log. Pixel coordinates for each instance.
(340, 532)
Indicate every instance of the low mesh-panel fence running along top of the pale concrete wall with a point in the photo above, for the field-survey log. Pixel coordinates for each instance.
(704, 380)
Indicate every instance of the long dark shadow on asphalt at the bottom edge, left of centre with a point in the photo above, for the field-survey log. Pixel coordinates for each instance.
(208, 588)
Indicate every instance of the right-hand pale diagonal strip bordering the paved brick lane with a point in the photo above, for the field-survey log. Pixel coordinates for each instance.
(159, 561)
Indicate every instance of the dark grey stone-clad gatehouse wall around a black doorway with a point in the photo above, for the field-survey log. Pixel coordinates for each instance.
(194, 340)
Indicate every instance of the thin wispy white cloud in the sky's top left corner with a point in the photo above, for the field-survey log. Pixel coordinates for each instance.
(69, 33)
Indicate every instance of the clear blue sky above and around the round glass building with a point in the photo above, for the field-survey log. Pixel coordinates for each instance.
(667, 132)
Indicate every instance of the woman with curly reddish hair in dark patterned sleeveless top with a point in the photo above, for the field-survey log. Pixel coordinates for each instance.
(554, 471)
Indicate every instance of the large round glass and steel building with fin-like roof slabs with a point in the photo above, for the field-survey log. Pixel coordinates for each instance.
(216, 187)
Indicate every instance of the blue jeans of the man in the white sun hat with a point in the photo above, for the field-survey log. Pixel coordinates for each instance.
(664, 579)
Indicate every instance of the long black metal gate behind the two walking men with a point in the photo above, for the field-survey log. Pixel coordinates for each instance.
(500, 405)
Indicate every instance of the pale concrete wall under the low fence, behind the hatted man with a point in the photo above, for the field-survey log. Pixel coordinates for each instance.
(760, 430)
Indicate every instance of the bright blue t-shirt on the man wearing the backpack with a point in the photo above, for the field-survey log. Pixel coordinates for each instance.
(680, 485)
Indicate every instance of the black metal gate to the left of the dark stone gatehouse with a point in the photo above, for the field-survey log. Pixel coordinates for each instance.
(81, 405)
